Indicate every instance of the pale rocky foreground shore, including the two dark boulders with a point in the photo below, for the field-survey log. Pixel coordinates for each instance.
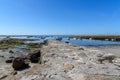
(55, 60)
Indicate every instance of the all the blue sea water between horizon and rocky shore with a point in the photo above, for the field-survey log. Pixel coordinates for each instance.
(82, 42)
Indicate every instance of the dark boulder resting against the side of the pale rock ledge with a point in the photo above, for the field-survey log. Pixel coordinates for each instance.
(34, 56)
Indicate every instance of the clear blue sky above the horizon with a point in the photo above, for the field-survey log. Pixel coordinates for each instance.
(59, 17)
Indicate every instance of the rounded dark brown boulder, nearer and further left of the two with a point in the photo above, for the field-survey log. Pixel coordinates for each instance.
(19, 63)
